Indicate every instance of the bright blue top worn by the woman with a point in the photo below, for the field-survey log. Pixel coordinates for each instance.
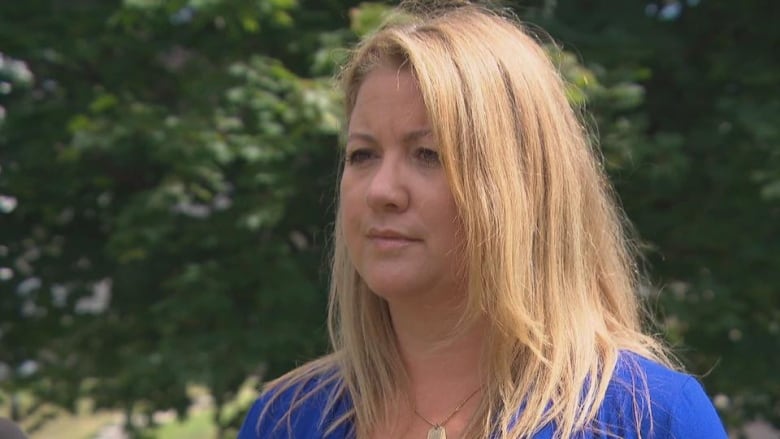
(680, 409)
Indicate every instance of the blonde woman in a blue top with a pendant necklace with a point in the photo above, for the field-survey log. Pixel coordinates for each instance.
(482, 284)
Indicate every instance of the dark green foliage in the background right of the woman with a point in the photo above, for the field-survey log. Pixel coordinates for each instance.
(695, 159)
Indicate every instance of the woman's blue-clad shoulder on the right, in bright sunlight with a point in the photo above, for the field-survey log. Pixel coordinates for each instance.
(647, 399)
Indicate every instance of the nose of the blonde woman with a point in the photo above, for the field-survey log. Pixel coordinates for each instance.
(388, 190)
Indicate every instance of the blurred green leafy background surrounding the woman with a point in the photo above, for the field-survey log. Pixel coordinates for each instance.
(167, 177)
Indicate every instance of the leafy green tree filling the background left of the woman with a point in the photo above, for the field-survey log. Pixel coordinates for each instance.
(173, 178)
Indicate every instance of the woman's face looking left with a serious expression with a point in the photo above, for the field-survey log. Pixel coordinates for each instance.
(398, 214)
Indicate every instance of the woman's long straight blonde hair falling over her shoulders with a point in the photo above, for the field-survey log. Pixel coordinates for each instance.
(548, 259)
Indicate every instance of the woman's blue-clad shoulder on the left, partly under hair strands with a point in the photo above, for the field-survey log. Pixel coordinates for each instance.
(300, 407)
